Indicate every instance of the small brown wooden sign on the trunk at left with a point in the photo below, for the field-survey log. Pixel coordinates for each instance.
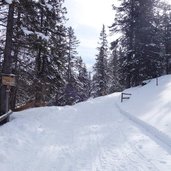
(8, 80)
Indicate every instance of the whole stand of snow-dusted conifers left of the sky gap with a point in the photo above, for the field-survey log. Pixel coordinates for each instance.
(38, 47)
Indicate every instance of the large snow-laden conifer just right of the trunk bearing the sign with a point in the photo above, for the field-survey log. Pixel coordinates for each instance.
(38, 50)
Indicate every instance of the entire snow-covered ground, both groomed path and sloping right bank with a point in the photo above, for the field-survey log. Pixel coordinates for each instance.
(98, 135)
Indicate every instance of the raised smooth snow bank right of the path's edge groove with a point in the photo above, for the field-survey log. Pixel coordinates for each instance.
(152, 104)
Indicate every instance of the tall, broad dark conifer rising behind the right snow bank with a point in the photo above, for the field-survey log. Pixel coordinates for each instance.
(139, 41)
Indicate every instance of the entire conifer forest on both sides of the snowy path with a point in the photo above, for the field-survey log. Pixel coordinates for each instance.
(38, 47)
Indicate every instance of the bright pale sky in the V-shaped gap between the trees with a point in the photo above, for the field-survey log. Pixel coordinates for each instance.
(87, 18)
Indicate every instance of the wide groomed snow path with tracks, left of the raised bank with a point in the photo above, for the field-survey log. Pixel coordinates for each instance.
(91, 136)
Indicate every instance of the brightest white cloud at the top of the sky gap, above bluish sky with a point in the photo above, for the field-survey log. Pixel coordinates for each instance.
(94, 12)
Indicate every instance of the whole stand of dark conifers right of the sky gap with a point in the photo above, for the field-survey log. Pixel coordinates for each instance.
(142, 52)
